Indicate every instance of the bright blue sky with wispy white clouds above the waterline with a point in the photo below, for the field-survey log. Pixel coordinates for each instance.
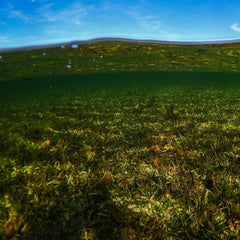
(37, 22)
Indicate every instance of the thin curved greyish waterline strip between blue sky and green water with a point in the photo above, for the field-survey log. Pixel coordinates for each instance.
(79, 42)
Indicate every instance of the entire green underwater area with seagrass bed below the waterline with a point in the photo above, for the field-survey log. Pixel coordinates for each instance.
(120, 140)
